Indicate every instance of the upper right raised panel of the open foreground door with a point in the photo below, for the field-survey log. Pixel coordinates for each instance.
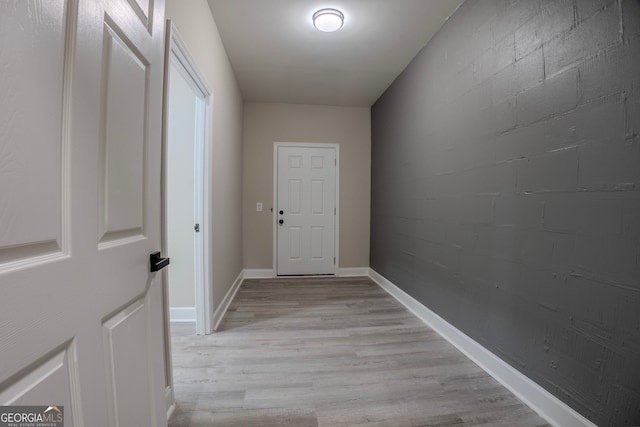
(123, 139)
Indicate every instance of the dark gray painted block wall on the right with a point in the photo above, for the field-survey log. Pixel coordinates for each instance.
(506, 191)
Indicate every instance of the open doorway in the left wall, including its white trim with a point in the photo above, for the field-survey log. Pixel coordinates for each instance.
(186, 229)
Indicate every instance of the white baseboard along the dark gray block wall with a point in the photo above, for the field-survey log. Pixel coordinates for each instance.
(549, 407)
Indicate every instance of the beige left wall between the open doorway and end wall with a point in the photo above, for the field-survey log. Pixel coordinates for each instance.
(196, 25)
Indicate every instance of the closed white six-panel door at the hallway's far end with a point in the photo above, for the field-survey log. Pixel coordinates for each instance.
(305, 211)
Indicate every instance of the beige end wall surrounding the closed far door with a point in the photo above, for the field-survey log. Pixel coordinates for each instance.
(266, 123)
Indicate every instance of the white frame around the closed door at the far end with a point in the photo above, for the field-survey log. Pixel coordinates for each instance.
(336, 242)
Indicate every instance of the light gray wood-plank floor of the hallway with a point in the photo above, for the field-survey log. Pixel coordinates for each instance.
(330, 352)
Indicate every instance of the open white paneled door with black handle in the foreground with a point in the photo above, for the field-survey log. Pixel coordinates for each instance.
(80, 136)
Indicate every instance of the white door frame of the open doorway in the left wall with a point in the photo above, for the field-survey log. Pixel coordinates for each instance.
(174, 45)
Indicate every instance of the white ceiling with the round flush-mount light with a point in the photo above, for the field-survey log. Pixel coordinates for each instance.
(278, 56)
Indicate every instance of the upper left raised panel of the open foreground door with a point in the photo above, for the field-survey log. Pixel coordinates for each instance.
(43, 188)
